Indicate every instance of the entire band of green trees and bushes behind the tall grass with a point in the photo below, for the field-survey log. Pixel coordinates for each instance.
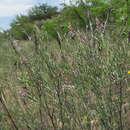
(81, 15)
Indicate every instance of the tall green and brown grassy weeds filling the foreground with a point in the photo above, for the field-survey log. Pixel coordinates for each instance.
(82, 86)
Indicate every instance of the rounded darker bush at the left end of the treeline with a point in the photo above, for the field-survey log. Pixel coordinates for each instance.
(23, 25)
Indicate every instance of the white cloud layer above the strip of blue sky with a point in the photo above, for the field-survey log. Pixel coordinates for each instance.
(14, 7)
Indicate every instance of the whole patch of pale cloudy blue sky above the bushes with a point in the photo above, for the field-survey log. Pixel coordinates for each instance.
(10, 8)
